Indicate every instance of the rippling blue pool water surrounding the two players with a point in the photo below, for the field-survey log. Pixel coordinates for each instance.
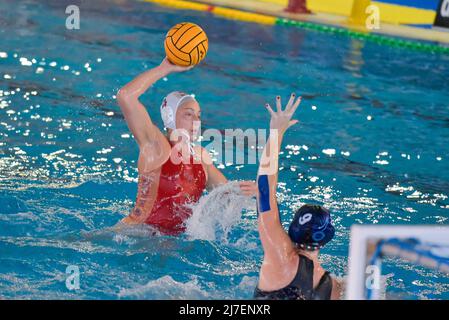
(371, 145)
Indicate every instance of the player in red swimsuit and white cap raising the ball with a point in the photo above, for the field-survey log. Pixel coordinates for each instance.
(172, 171)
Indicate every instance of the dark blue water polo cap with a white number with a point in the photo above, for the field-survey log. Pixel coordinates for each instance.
(311, 227)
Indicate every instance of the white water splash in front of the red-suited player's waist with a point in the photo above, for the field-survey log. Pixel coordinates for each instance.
(217, 212)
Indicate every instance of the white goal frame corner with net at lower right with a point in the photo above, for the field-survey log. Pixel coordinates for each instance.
(424, 245)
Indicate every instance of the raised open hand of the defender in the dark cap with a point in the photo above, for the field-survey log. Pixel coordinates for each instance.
(281, 120)
